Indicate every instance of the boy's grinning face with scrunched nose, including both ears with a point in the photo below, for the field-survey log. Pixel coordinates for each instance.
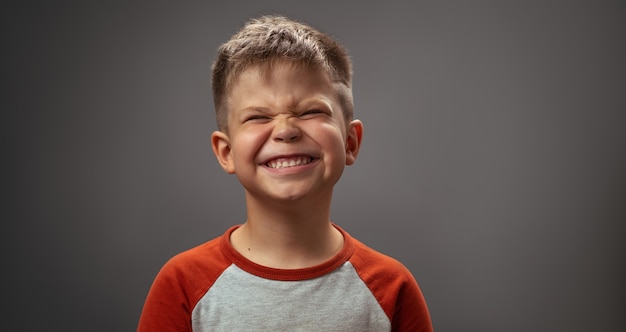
(287, 138)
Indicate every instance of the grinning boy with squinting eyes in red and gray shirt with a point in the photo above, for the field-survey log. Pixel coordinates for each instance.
(283, 100)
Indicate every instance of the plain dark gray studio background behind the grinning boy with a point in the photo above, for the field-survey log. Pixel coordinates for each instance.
(493, 164)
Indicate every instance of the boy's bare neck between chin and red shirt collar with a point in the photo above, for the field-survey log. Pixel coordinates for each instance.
(287, 235)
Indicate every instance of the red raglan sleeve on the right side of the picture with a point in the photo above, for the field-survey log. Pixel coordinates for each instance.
(394, 287)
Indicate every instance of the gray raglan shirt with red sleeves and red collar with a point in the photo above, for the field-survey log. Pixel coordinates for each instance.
(212, 287)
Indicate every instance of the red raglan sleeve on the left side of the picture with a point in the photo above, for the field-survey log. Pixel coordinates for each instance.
(179, 285)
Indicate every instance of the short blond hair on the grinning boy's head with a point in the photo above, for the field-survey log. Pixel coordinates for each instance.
(274, 38)
